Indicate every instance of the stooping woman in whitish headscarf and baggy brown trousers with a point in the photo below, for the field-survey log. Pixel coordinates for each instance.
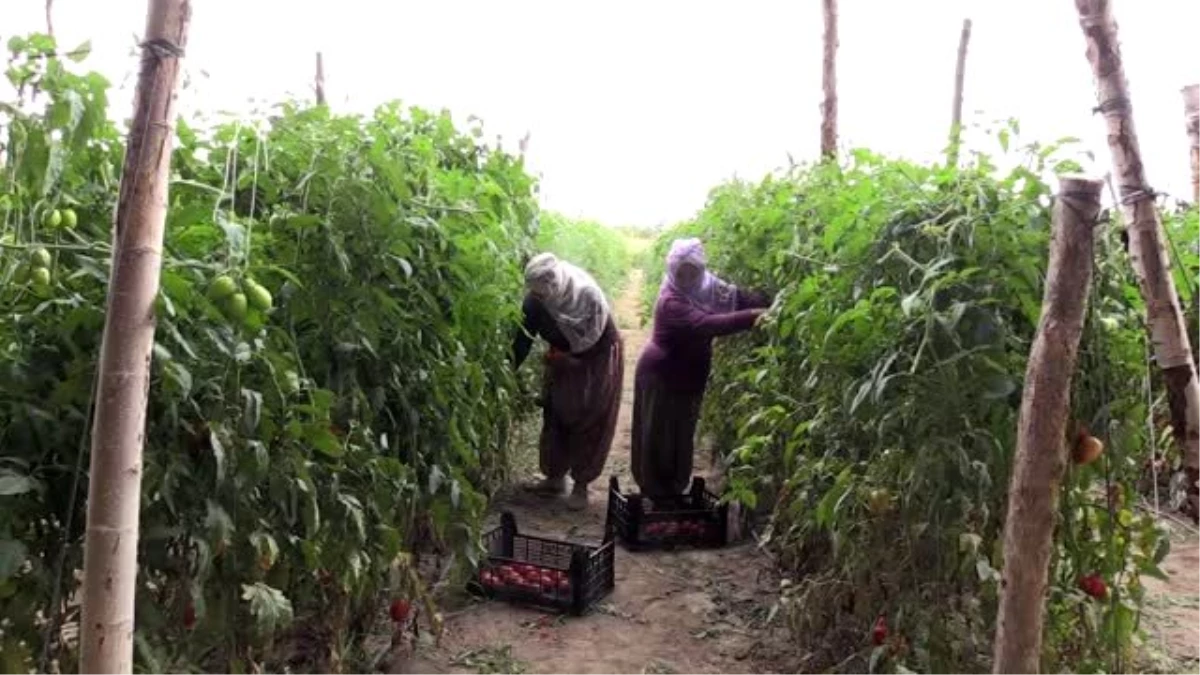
(585, 368)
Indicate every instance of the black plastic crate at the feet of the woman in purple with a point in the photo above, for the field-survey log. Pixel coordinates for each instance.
(695, 519)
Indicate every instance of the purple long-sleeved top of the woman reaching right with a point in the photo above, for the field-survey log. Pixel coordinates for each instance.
(681, 349)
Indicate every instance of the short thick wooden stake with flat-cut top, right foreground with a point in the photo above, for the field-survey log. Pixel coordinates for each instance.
(1042, 429)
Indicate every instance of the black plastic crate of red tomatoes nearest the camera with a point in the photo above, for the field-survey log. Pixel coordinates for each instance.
(542, 572)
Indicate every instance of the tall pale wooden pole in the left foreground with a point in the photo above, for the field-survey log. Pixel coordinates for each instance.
(115, 487)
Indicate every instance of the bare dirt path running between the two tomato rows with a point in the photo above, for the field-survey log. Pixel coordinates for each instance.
(693, 613)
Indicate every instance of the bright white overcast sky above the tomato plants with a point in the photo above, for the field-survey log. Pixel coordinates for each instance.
(639, 107)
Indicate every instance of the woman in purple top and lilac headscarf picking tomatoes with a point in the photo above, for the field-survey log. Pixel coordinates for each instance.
(694, 307)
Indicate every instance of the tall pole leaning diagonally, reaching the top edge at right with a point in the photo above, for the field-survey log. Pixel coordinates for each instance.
(1148, 250)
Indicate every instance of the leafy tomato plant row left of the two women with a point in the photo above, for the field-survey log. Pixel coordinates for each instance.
(332, 381)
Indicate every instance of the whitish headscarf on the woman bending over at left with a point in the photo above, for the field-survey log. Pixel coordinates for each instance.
(572, 297)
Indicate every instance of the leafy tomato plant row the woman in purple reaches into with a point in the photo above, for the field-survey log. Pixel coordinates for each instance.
(874, 415)
